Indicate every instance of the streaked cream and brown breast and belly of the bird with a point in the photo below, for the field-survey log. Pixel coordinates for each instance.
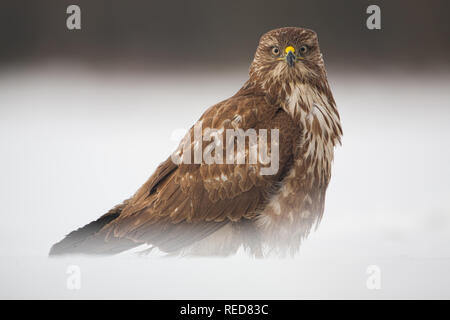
(299, 203)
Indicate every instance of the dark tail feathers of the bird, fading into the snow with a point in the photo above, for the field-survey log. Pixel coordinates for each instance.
(86, 241)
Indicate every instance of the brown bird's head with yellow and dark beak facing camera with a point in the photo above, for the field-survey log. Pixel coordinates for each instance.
(286, 55)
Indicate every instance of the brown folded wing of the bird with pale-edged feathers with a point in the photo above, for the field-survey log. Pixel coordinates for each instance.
(183, 203)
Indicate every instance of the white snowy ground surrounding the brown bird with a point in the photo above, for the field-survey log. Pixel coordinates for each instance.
(74, 142)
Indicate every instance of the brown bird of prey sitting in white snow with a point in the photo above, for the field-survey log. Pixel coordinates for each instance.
(216, 208)
